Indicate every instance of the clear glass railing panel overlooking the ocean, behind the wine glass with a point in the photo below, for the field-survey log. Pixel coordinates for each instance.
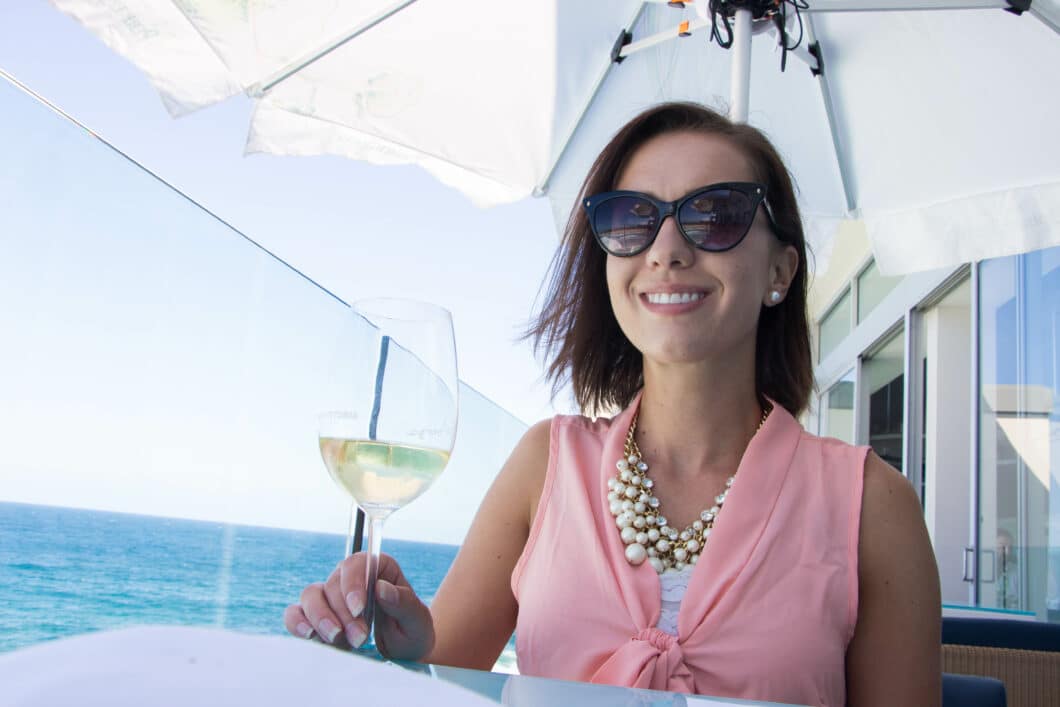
(160, 385)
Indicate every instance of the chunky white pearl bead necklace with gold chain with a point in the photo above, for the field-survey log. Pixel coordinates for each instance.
(637, 509)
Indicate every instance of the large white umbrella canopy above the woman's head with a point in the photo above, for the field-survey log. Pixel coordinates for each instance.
(935, 122)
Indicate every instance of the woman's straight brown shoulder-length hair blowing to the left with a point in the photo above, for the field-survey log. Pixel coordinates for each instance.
(577, 328)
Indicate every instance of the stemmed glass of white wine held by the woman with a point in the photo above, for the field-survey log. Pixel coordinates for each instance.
(394, 438)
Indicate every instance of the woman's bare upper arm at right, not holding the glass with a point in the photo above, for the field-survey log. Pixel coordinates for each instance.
(895, 656)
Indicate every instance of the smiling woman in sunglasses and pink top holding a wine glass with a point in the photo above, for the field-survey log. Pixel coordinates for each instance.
(680, 298)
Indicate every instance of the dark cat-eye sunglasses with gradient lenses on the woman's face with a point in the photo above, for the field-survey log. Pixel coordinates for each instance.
(714, 219)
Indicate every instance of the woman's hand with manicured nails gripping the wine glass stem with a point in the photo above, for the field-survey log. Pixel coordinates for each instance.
(332, 611)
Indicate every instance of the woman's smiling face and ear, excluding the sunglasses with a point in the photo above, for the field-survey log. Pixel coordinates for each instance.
(728, 290)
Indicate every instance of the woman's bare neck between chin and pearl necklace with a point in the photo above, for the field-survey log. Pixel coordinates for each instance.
(698, 420)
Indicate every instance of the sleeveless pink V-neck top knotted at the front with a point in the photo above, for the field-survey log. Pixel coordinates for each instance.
(772, 603)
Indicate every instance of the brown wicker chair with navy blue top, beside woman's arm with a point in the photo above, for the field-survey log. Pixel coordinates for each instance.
(1024, 656)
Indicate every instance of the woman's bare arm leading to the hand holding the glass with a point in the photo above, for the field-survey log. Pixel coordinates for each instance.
(474, 611)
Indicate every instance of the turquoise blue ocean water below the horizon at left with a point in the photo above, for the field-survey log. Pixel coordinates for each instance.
(67, 572)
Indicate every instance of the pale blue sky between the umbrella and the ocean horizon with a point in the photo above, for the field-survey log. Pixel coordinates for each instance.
(160, 363)
